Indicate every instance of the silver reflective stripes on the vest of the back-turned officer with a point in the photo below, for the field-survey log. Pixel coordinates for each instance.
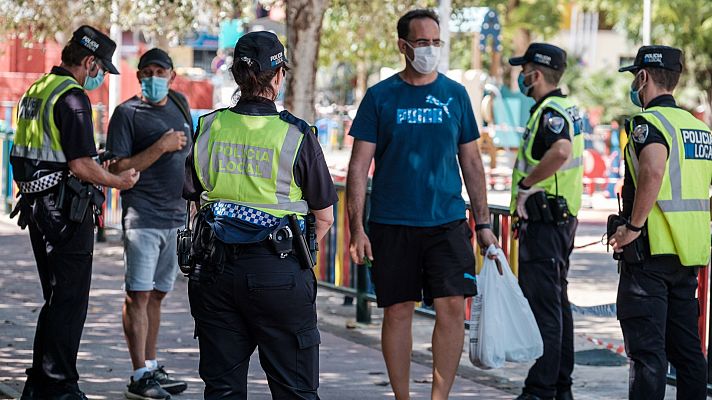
(284, 177)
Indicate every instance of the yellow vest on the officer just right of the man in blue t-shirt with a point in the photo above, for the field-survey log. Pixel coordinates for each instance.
(569, 179)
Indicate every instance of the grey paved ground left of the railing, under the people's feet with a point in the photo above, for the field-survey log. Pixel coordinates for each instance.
(349, 369)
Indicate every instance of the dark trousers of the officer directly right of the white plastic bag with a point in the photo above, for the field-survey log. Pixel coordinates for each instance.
(544, 250)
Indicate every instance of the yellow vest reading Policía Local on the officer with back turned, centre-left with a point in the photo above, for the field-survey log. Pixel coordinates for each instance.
(249, 160)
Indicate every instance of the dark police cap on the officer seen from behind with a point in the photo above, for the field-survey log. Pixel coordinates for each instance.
(261, 47)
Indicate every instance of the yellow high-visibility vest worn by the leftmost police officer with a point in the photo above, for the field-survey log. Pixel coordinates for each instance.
(37, 136)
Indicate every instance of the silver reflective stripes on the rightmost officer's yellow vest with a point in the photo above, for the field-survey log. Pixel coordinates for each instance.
(676, 203)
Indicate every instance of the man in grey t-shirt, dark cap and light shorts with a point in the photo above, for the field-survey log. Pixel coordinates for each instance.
(150, 133)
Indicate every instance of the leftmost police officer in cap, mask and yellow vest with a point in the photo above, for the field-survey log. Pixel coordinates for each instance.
(53, 167)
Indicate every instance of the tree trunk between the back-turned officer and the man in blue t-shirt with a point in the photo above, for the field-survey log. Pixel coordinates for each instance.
(304, 19)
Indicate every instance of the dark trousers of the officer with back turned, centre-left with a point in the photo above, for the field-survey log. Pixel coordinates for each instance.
(260, 301)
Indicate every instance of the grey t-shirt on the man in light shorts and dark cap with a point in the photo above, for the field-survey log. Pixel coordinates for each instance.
(155, 201)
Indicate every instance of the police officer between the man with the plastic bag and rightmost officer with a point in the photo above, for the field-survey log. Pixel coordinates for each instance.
(546, 197)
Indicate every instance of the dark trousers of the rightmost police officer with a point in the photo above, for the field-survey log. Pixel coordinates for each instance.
(658, 314)
